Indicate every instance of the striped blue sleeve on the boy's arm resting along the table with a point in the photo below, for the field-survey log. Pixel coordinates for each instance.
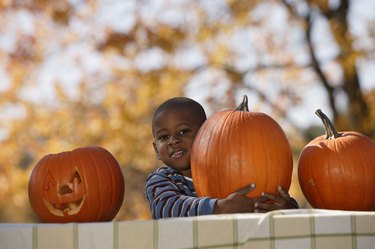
(166, 200)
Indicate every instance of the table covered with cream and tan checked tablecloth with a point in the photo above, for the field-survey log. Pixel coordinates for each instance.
(302, 228)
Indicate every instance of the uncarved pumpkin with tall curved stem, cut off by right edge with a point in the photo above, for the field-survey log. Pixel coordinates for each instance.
(337, 170)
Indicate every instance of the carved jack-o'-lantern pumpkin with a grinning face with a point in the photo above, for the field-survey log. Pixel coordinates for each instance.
(82, 185)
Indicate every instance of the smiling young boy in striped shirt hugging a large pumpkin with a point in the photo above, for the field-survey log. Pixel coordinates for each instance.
(170, 190)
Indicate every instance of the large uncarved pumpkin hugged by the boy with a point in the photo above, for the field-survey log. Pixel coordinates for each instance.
(234, 148)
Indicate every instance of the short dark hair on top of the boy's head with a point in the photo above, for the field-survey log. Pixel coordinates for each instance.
(181, 102)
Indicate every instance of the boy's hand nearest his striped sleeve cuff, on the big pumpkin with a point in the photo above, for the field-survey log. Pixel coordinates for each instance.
(238, 202)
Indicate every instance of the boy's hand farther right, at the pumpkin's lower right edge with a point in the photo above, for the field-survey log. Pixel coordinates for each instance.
(282, 201)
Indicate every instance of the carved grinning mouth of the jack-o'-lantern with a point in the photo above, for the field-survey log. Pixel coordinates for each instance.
(66, 208)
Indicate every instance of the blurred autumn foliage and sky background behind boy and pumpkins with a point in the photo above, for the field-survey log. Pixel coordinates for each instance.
(85, 72)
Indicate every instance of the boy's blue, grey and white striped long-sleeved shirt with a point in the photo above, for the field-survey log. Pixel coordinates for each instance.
(170, 194)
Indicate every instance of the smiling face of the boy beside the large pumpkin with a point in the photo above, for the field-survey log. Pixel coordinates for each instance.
(174, 131)
